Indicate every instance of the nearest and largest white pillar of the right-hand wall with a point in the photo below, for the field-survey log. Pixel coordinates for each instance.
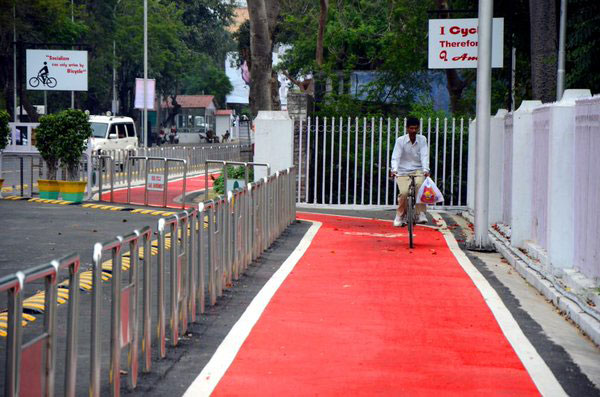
(562, 180)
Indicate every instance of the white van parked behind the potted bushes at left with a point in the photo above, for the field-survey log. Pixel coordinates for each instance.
(113, 133)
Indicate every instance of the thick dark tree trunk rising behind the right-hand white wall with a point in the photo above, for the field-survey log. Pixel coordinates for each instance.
(542, 18)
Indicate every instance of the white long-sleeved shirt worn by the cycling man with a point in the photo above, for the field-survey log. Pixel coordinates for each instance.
(408, 157)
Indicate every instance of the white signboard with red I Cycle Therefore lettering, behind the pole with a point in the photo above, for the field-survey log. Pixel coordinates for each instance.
(453, 43)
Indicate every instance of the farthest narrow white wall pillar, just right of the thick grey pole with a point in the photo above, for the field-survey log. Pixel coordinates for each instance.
(496, 166)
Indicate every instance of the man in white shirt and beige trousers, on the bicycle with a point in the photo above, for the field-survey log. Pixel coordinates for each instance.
(410, 156)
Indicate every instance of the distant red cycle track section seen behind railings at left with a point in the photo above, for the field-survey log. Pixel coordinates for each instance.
(155, 198)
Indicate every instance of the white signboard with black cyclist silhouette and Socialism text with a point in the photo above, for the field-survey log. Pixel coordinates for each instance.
(57, 70)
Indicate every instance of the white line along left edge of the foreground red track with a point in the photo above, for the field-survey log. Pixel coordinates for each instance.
(214, 370)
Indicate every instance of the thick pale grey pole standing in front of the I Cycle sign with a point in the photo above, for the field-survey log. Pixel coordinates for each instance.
(481, 241)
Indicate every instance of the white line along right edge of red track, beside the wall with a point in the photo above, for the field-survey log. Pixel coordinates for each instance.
(541, 375)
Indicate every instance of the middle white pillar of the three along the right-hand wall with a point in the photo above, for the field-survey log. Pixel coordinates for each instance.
(522, 173)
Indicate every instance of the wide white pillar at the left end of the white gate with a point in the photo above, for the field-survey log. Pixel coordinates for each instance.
(273, 142)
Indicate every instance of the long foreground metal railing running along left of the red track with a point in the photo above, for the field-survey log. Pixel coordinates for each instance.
(202, 250)
